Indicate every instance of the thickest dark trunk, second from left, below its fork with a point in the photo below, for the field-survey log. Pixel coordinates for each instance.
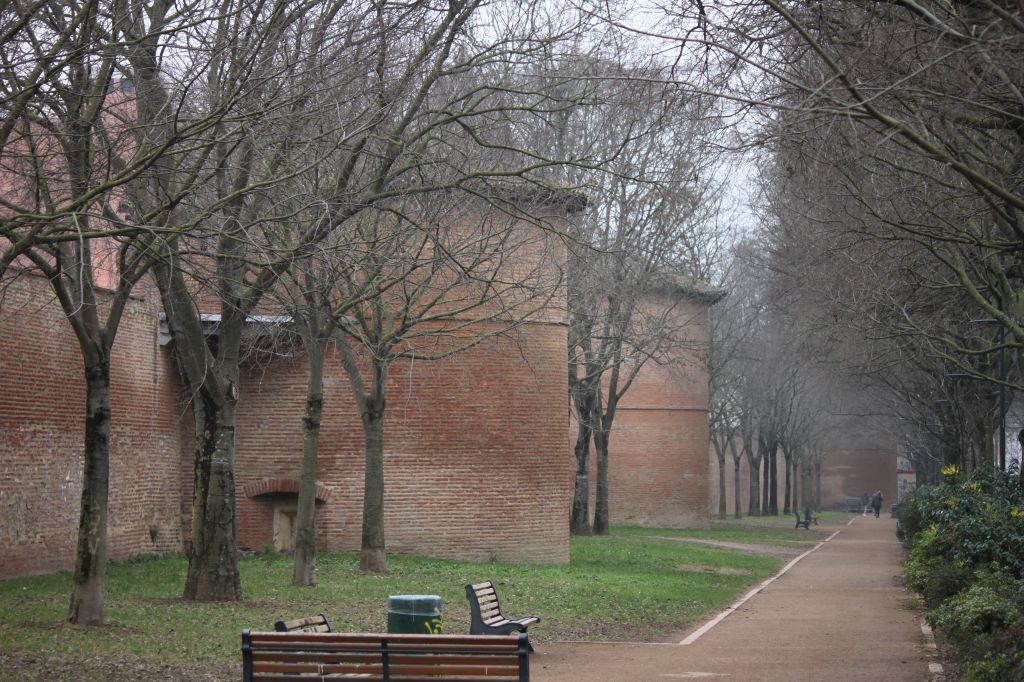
(214, 562)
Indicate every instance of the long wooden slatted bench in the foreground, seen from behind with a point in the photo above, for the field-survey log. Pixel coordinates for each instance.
(303, 657)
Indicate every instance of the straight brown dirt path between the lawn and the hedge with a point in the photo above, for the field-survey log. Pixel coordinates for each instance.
(839, 614)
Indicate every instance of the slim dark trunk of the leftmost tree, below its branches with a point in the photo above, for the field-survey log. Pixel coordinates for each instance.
(91, 560)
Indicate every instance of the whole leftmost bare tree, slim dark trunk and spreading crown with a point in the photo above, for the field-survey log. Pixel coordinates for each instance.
(96, 143)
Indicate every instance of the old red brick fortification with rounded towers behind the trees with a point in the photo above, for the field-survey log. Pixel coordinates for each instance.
(478, 457)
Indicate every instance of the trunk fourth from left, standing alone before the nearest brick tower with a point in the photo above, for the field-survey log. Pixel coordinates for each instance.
(372, 553)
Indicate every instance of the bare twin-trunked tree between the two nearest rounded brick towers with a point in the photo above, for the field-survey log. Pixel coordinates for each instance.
(643, 243)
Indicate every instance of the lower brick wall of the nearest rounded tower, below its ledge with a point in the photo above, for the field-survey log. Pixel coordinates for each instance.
(477, 462)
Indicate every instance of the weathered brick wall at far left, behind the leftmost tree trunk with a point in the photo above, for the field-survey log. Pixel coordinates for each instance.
(42, 412)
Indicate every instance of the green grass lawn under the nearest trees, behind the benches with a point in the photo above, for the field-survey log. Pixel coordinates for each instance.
(615, 588)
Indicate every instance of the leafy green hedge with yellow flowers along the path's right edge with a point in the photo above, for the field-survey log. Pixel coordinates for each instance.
(966, 542)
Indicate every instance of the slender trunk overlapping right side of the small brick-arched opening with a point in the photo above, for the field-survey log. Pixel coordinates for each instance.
(305, 567)
